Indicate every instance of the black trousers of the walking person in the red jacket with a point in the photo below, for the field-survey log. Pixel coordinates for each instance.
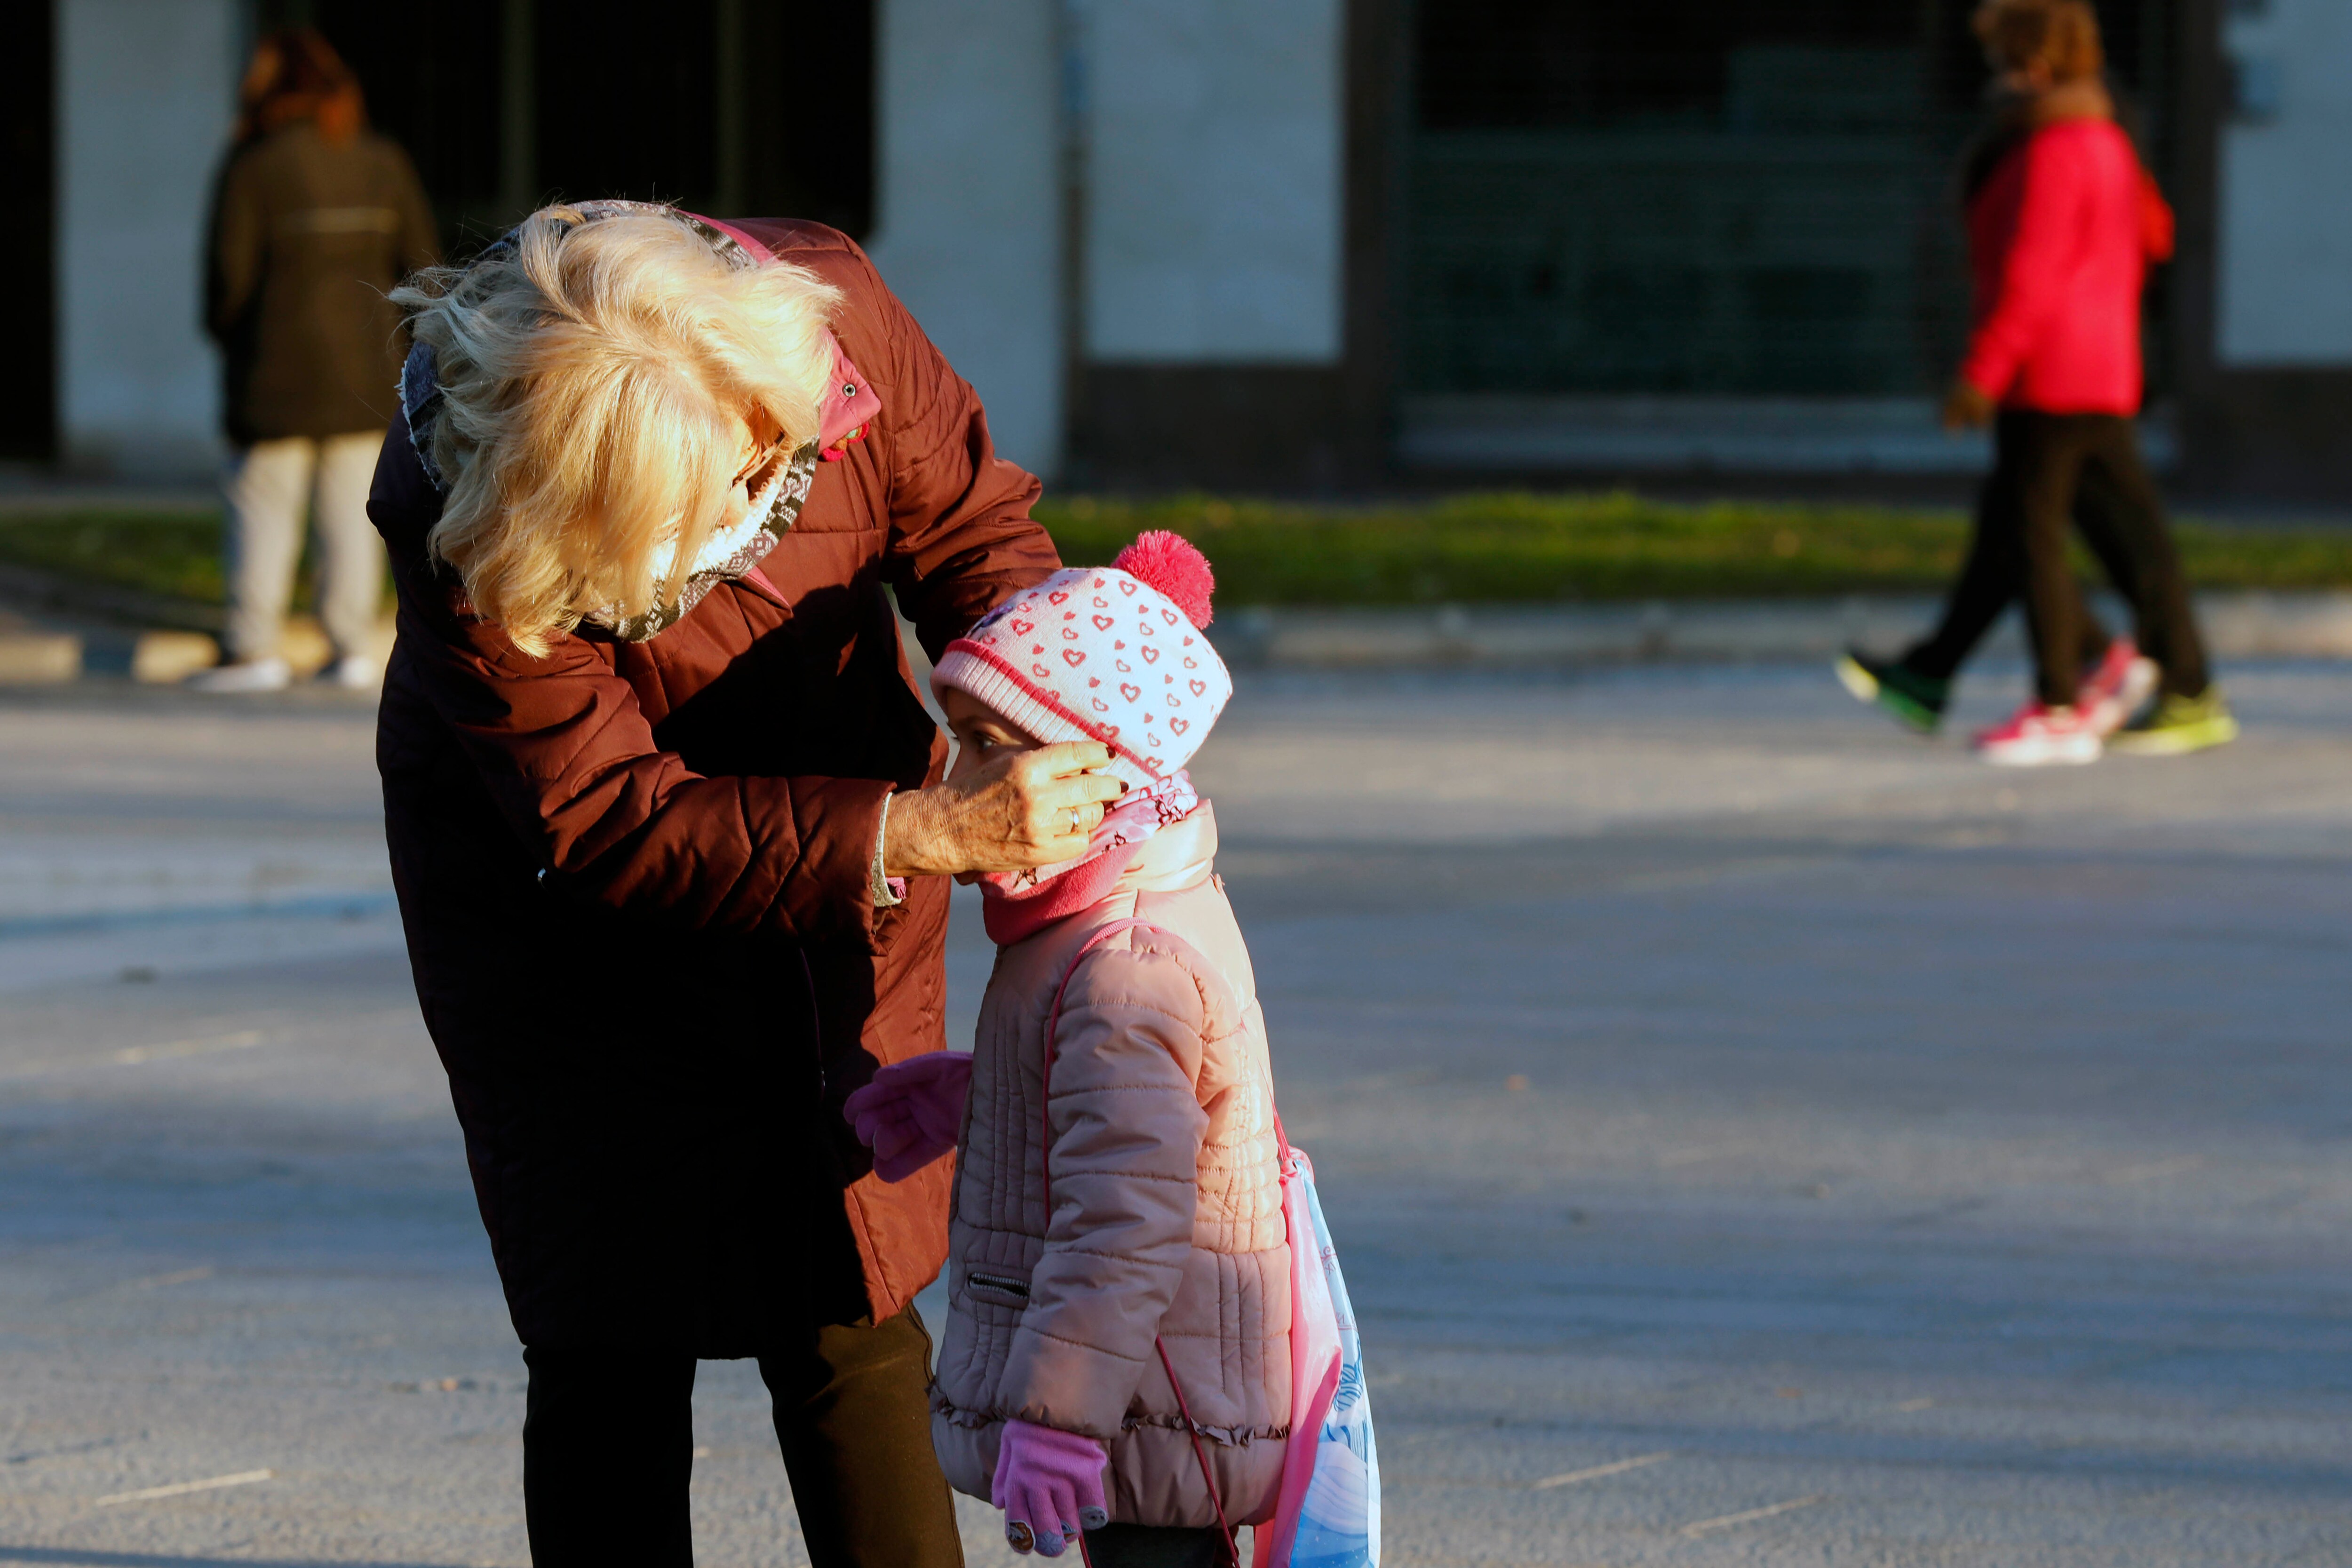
(2057, 469)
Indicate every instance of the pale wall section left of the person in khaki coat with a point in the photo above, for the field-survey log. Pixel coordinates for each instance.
(142, 116)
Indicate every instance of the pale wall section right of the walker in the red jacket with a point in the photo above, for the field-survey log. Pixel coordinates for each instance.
(2287, 192)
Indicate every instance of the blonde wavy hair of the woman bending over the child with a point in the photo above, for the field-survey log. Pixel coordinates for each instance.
(592, 375)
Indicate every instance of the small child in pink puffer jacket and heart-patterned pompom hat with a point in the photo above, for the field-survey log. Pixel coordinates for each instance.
(1118, 1327)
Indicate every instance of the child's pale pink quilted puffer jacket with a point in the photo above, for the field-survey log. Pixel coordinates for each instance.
(1168, 1205)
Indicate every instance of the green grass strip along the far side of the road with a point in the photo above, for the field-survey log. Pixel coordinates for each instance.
(1466, 549)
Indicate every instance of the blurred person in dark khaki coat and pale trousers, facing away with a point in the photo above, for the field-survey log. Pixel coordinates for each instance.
(314, 220)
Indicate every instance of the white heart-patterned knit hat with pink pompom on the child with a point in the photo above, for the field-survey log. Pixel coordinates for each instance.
(1109, 655)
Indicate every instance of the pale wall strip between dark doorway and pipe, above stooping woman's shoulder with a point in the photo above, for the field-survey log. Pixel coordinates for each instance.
(968, 227)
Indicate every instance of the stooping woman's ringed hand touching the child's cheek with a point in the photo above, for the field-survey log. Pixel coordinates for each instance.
(1031, 808)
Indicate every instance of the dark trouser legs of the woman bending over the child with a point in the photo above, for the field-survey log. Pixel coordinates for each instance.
(608, 1449)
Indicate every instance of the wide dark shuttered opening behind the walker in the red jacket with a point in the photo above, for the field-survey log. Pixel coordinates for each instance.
(1739, 199)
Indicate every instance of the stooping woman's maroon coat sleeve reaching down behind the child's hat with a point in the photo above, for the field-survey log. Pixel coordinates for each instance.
(961, 530)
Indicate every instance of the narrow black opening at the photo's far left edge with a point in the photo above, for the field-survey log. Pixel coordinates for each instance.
(27, 262)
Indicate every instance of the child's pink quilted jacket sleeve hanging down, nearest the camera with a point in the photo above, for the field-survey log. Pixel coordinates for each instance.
(1125, 1132)
